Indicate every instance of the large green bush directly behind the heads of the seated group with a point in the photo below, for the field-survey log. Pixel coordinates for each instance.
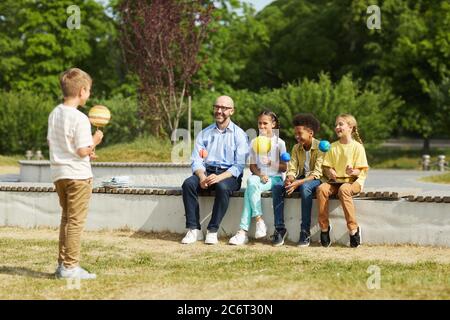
(322, 98)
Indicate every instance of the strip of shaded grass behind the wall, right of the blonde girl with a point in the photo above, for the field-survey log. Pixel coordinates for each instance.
(400, 158)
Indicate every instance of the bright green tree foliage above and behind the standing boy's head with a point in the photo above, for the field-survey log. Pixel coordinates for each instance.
(36, 45)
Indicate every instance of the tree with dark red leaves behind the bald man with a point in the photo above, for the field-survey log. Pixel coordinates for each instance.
(161, 40)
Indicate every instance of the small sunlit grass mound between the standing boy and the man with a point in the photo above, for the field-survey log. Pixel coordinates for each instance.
(145, 149)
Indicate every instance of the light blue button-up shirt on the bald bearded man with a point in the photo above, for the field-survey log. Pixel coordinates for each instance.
(227, 149)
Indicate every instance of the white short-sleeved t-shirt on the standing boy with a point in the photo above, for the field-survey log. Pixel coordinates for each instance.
(68, 130)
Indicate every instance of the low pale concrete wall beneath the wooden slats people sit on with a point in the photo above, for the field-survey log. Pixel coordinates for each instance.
(382, 222)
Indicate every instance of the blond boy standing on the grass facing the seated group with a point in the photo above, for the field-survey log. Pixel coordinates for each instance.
(71, 148)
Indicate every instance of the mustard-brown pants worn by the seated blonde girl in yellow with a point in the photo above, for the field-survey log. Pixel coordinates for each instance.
(345, 193)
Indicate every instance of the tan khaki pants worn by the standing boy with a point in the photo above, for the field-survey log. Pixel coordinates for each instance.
(74, 196)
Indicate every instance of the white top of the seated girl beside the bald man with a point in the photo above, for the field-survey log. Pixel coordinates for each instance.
(278, 146)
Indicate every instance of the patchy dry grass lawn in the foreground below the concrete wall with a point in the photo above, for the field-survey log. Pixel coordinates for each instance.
(155, 266)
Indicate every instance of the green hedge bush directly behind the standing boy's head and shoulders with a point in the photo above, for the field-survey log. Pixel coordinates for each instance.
(24, 121)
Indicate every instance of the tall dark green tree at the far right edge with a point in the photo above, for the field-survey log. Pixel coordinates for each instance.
(412, 54)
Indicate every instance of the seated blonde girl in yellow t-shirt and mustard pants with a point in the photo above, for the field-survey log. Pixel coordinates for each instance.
(345, 168)
